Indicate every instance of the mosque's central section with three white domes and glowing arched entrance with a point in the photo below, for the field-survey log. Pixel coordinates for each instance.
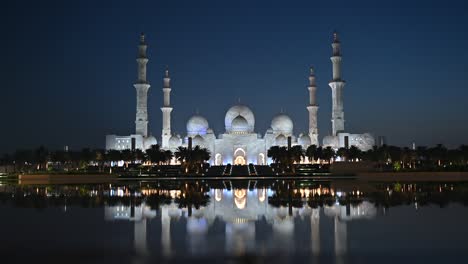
(239, 144)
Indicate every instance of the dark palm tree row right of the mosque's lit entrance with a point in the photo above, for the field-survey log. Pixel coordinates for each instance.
(391, 157)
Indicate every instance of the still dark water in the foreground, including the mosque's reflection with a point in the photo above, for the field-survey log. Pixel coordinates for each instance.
(234, 222)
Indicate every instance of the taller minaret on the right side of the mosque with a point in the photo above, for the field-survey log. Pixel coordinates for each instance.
(337, 85)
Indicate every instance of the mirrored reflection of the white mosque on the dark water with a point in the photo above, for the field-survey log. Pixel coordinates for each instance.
(246, 216)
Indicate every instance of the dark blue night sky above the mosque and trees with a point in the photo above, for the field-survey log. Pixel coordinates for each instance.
(68, 66)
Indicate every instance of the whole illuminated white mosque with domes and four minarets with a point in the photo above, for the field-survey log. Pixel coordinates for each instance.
(239, 144)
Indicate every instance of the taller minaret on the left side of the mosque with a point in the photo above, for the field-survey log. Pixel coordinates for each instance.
(142, 86)
